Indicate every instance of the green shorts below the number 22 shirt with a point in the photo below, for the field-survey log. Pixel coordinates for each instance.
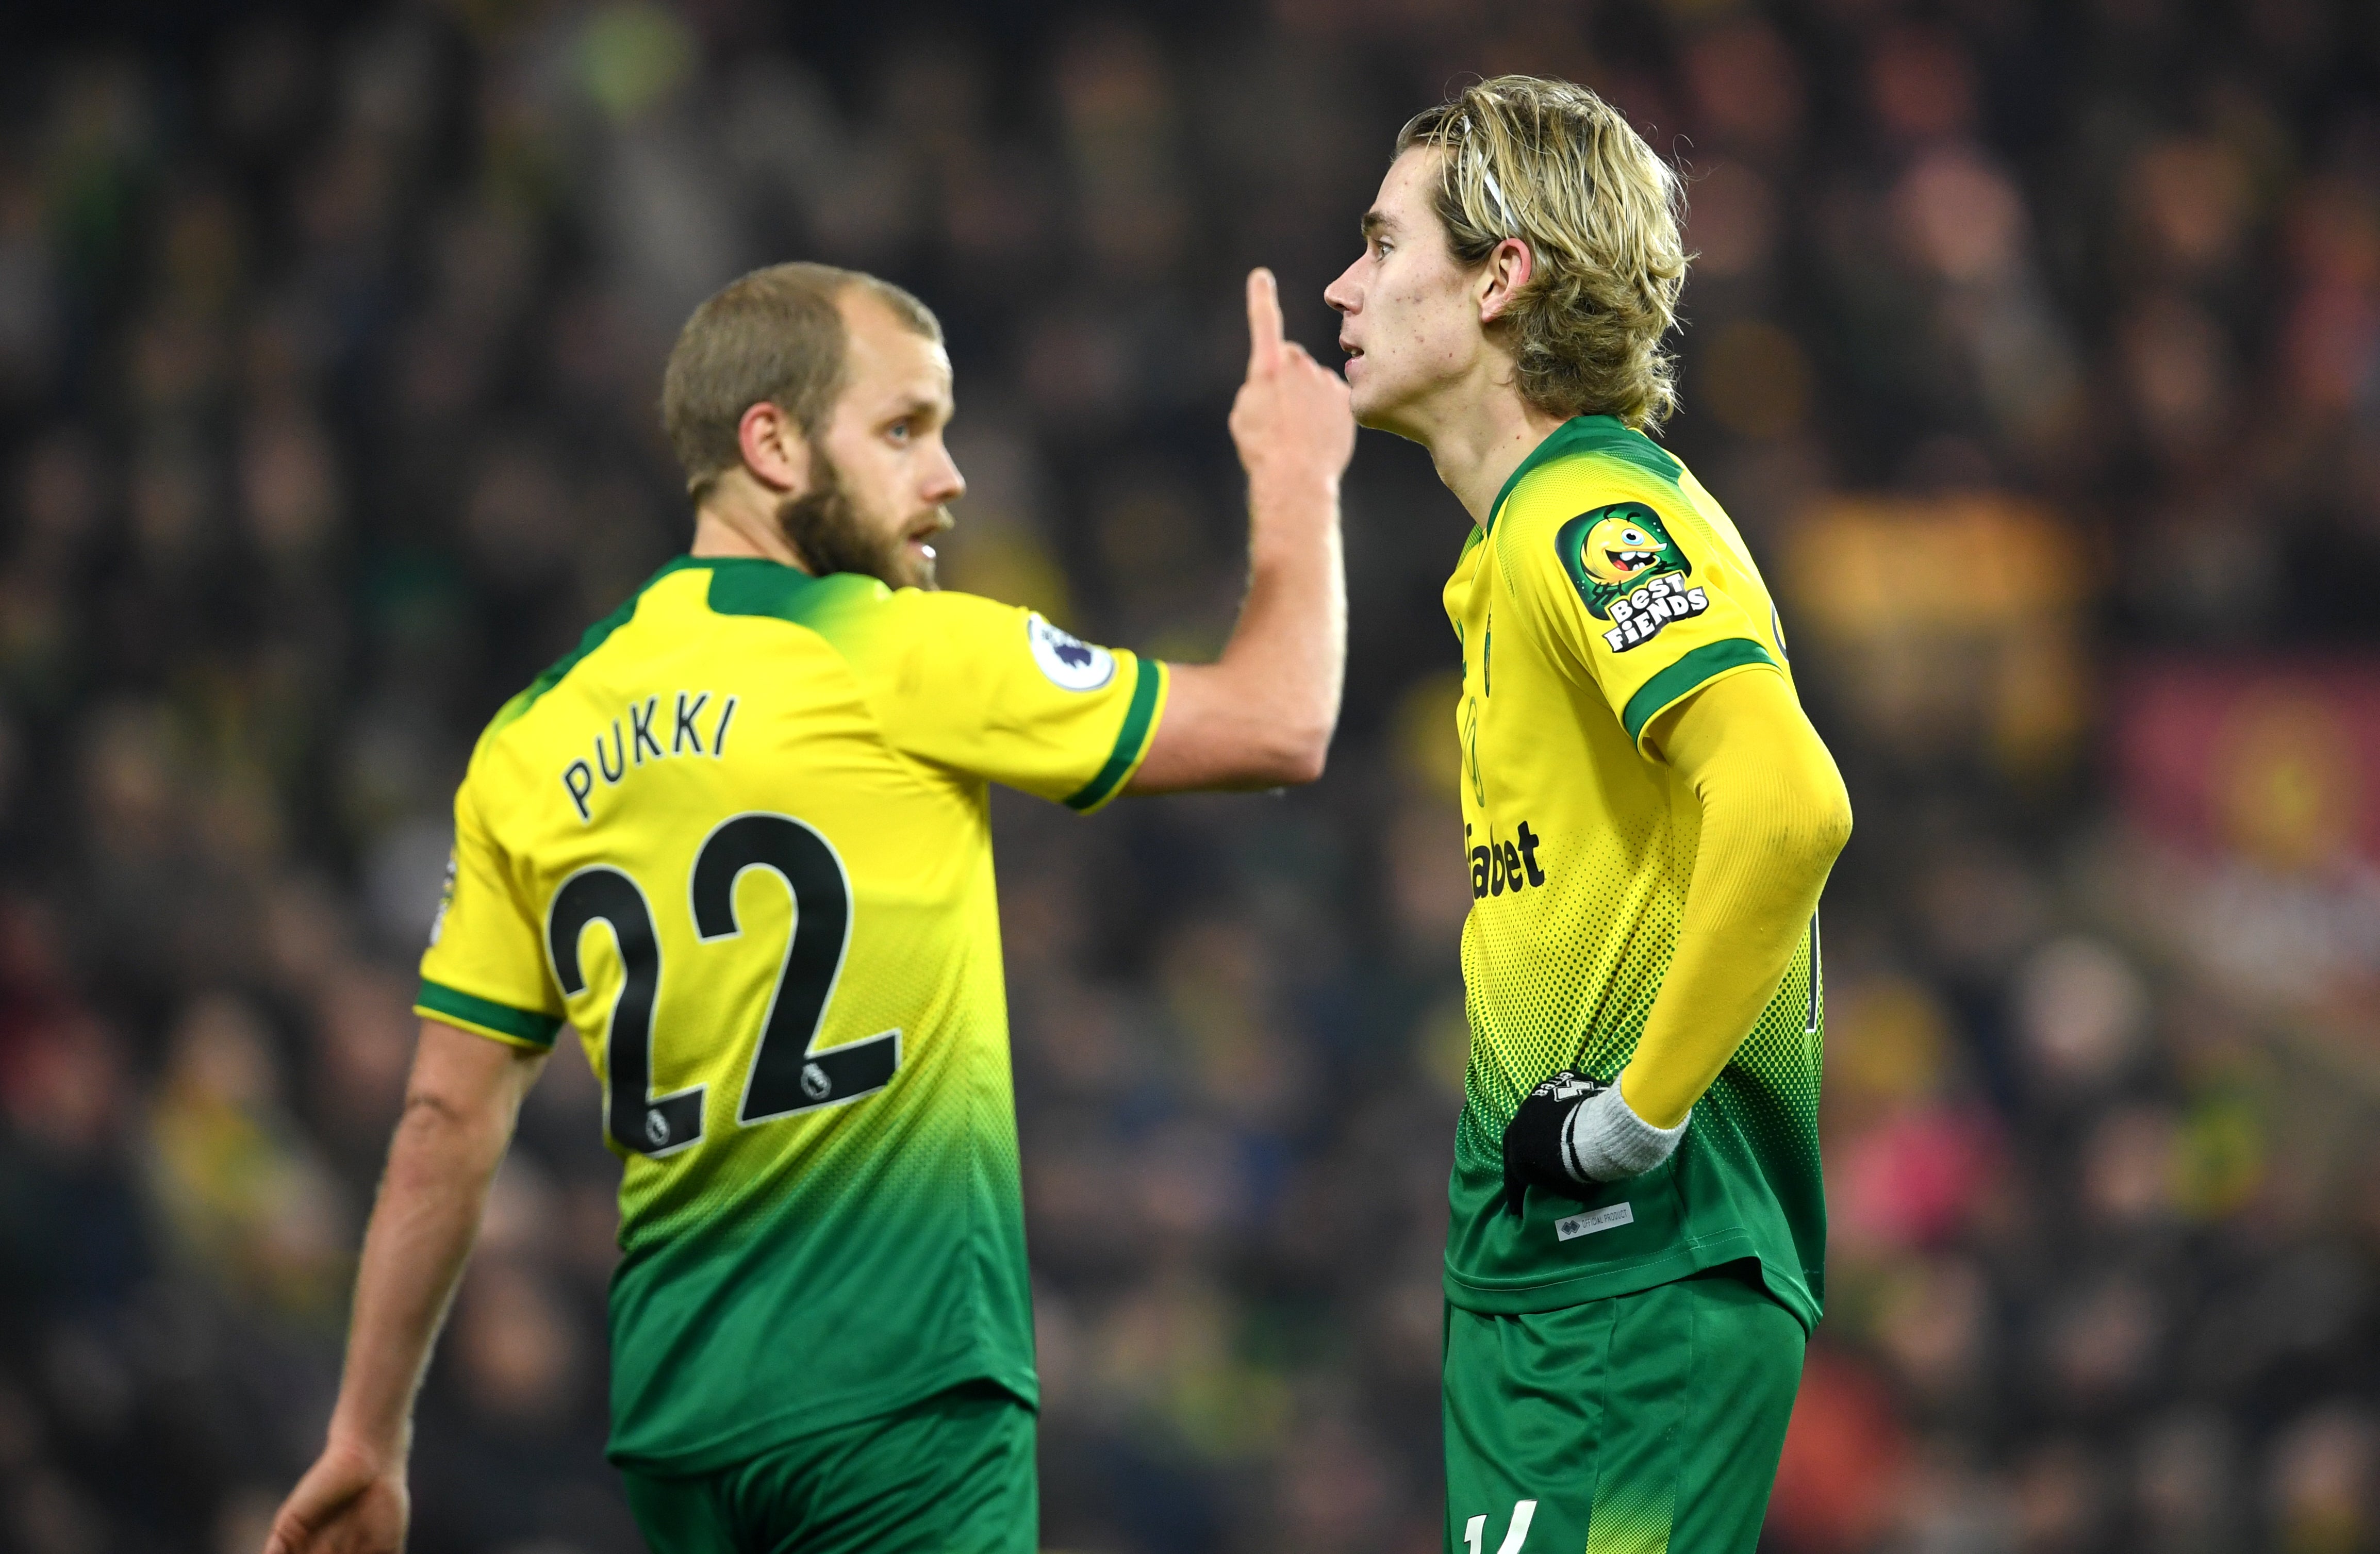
(951, 1474)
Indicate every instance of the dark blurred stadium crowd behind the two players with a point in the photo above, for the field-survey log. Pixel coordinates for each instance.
(2034, 346)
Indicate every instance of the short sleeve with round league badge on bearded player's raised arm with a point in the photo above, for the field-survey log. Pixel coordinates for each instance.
(1003, 694)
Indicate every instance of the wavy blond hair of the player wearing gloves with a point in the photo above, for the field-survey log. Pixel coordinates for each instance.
(1565, 173)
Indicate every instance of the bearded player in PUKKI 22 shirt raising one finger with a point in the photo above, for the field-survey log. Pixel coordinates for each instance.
(739, 841)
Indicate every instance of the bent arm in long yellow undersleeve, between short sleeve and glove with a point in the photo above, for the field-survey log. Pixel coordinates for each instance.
(1774, 817)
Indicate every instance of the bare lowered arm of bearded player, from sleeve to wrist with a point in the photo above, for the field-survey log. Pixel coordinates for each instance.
(422, 1227)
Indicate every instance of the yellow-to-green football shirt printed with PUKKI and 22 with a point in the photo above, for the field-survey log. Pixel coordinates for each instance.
(739, 841)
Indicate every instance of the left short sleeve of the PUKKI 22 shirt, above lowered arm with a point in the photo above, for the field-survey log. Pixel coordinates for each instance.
(487, 960)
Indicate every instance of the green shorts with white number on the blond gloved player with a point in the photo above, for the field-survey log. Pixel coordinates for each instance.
(1641, 1424)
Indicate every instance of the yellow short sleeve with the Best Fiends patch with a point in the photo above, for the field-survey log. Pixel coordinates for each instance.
(1634, 599)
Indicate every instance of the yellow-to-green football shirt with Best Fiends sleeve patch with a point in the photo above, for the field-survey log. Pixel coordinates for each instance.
(1605, 589)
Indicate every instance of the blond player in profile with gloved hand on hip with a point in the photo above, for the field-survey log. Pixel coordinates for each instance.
(1639, 1229)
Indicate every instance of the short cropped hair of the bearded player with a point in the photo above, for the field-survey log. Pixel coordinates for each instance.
(770, 337)
